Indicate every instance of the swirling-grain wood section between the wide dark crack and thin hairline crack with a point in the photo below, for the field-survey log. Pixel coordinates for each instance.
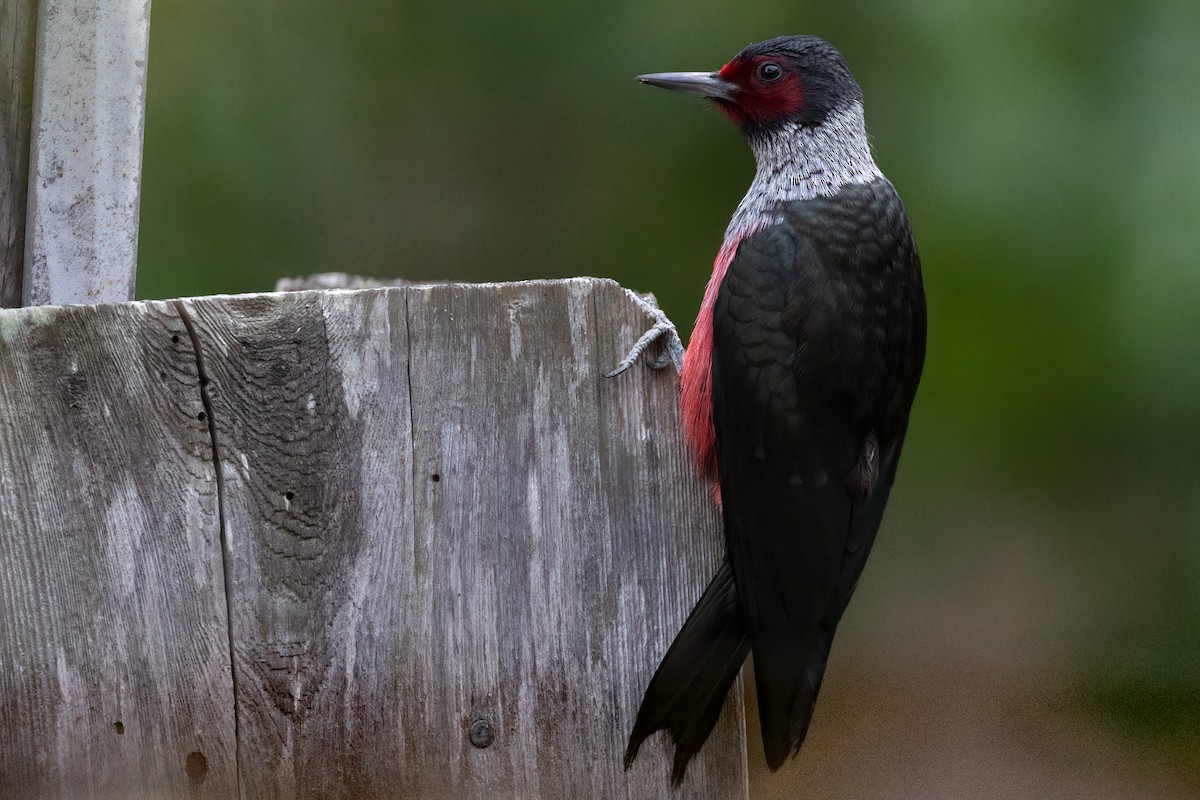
(310, 398)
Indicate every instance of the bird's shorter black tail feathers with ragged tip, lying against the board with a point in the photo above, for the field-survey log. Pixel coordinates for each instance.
(688, 690)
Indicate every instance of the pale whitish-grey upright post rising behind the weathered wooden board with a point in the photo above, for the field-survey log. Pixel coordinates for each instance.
(86, 160)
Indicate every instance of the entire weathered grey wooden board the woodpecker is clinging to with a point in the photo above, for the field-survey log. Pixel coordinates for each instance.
(399, 543)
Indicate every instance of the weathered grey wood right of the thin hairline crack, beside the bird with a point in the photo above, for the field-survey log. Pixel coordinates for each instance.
(566, 543)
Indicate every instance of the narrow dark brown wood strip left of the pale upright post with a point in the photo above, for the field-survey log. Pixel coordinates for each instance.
(19, 29)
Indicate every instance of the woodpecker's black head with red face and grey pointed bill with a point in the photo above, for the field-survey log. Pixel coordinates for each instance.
(783, 82)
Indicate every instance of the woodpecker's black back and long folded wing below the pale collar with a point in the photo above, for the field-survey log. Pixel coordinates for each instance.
(819, 339)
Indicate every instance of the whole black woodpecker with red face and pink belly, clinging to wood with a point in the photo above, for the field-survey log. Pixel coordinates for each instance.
(796, 390)
